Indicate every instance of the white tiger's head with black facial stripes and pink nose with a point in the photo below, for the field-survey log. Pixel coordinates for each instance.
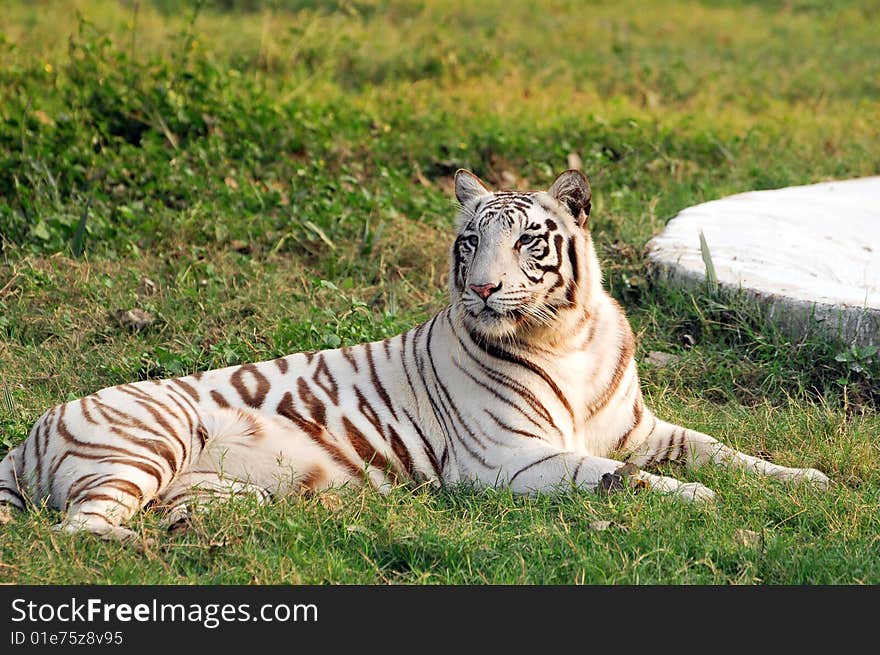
(522, 265)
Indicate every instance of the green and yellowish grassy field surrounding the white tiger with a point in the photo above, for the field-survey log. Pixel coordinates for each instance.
(269, 177)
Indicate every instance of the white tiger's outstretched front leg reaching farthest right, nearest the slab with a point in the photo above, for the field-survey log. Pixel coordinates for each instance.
(667, 441)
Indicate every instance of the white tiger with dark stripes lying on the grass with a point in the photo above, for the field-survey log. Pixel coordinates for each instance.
(526, 379)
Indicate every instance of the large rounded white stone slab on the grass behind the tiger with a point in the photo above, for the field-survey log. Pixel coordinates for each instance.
(810, 254)
